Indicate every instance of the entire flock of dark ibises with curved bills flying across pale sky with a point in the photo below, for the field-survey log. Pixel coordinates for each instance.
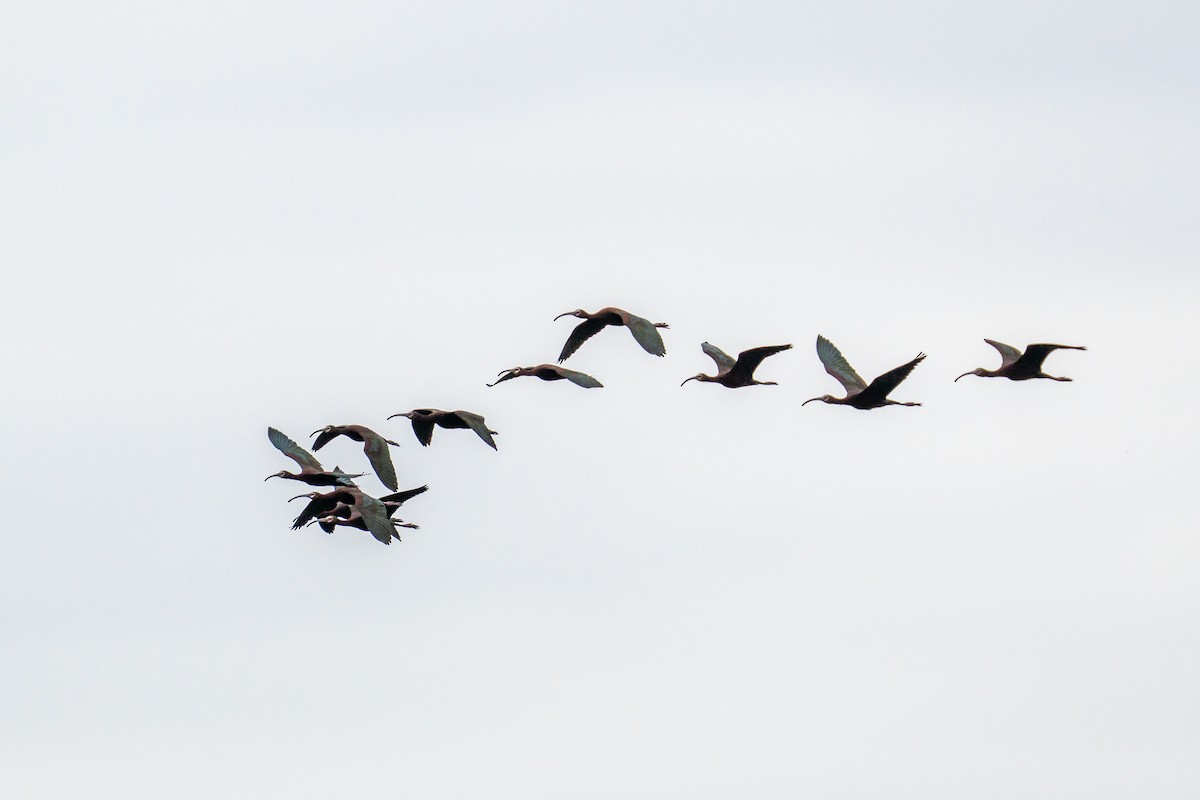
(346, 504)
